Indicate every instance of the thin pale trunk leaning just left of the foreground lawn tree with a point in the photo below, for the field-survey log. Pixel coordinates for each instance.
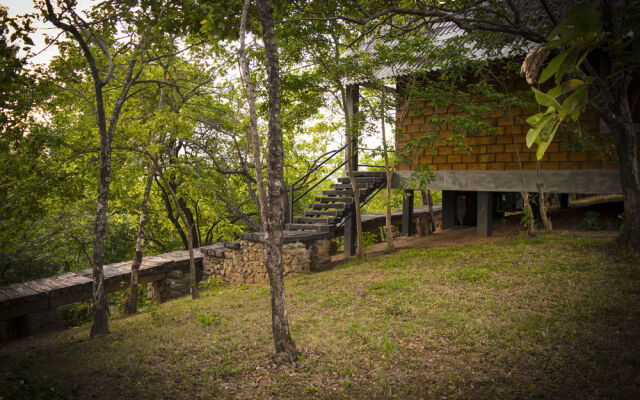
(253, 115)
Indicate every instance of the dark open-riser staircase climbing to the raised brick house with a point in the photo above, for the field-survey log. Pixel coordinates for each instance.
(336, 205)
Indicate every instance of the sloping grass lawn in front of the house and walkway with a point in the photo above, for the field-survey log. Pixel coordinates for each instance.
(553, 317)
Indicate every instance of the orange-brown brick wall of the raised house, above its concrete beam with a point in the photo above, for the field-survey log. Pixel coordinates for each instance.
(495, 150)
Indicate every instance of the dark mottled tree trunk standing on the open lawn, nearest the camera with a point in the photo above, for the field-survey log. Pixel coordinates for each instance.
(285, 348)
